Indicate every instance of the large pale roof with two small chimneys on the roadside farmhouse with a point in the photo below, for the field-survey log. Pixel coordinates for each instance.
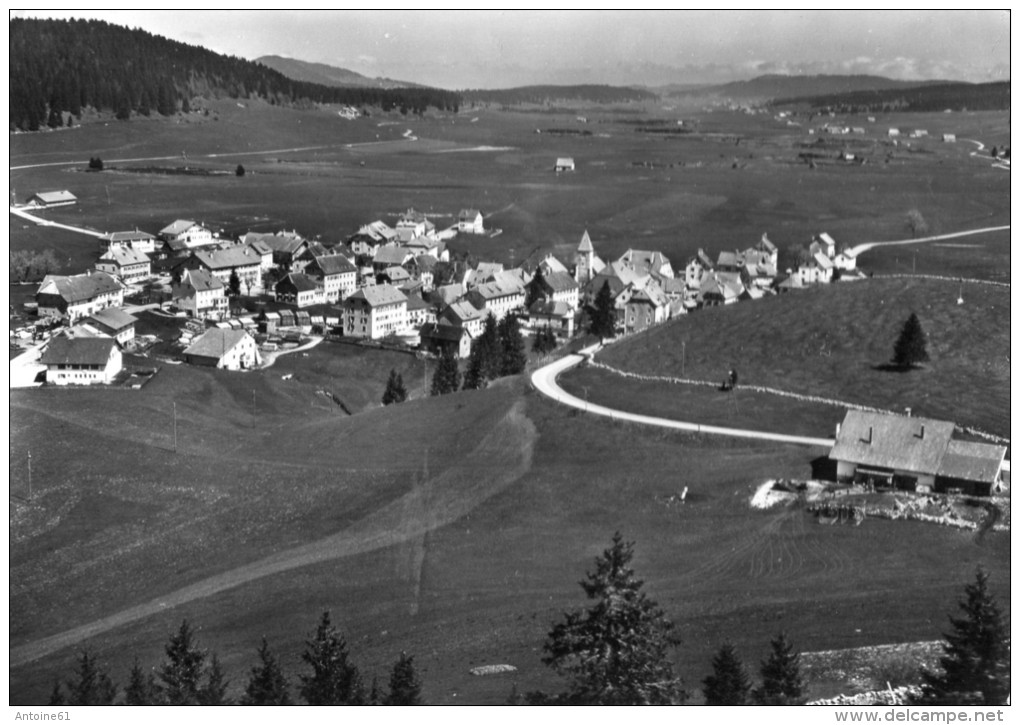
(892, 442)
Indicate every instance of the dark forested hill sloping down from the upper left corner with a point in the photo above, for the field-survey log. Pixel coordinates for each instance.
(68, 67)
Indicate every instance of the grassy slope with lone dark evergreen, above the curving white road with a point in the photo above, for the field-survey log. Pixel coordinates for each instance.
(833, 341)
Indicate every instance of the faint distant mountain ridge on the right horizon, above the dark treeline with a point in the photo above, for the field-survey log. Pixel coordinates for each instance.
(776, 87)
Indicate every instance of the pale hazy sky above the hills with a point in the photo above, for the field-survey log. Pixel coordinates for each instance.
(460, 49)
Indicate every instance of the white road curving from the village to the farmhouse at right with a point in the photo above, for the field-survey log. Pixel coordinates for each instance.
(544, 381)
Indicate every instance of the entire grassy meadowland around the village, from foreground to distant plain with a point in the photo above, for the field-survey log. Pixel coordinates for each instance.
(456, 529)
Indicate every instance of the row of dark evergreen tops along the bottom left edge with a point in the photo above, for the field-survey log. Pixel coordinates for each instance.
(190, 676)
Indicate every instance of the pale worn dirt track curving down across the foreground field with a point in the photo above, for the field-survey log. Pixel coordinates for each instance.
(505, 455)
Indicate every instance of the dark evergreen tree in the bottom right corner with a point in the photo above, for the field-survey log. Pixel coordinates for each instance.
(976, 663)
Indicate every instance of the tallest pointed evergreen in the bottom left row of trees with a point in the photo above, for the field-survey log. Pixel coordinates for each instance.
(335, 680)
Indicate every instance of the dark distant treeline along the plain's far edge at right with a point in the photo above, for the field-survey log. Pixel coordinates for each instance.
(972, 97)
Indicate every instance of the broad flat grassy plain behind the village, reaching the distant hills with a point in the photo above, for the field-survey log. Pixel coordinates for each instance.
(326, 177)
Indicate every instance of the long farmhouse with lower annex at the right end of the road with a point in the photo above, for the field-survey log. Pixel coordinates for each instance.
(917, 454)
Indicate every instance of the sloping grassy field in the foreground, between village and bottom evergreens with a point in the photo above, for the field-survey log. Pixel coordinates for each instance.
(488, 561)
